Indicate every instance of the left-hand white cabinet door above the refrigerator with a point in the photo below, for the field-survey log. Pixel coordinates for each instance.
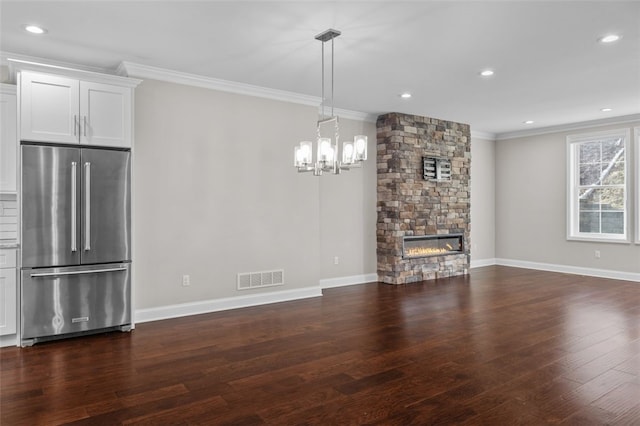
(49, 108)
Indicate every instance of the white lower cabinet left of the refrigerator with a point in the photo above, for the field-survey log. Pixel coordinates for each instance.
(8, 287)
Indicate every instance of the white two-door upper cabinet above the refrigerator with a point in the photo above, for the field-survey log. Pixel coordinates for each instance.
(55, 108)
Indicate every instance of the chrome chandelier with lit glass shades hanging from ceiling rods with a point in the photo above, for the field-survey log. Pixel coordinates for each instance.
(328, 159)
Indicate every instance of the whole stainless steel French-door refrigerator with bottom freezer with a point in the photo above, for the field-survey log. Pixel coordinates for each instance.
(76, 241)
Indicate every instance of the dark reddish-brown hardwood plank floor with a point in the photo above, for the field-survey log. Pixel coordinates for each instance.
(503, 346)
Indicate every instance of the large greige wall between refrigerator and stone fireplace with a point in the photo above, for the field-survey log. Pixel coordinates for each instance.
(216, 194)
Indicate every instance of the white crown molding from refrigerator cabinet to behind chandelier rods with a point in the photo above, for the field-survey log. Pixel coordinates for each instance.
(163, 74)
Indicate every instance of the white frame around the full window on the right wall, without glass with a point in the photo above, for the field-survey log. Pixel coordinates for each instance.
(573, 179)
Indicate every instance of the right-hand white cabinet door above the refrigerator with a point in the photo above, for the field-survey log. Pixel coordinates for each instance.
(105, 112)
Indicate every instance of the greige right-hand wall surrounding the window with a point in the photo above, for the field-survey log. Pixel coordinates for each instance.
(531, 207)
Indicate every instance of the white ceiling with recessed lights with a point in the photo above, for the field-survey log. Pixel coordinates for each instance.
(549, 66)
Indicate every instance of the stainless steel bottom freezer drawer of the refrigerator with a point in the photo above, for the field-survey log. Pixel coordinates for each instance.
(58, 301)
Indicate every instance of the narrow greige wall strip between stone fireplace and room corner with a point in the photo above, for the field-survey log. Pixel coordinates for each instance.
(483, 226)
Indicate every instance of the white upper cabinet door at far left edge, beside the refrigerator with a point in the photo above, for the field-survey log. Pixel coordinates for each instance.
(8, 142)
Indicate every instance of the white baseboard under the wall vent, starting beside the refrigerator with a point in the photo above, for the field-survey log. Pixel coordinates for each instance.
(215, 305)
